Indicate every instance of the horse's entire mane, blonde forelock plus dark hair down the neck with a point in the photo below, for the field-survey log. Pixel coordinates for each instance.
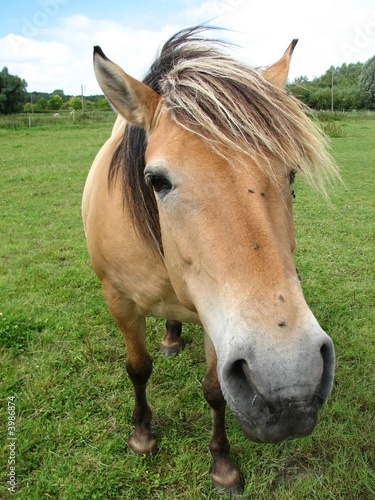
(234, 109)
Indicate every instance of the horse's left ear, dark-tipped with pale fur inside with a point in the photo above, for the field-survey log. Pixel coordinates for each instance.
(134, 100)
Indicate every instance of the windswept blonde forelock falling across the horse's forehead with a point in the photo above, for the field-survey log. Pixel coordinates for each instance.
(234, 109)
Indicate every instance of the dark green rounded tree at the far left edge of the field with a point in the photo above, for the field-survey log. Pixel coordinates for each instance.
(12, 92)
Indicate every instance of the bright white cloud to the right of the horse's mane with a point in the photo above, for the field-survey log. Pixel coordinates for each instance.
(329, 33)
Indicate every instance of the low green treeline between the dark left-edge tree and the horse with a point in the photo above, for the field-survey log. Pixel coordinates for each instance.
(40, 102)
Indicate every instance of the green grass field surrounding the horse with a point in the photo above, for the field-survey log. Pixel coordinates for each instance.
(62, 357)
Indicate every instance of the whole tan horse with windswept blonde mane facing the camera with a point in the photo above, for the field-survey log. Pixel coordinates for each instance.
(187, 212)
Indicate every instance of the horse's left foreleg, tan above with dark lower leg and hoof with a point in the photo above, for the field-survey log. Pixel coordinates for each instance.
(138, 366)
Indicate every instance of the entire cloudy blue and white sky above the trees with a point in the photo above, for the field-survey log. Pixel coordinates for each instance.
(49, 42)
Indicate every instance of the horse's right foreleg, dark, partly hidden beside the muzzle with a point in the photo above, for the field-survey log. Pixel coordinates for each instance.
(224, 475)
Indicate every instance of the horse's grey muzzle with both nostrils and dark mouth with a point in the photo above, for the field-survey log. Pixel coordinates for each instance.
(280, 399)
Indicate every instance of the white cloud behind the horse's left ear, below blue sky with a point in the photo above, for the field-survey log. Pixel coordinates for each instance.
(66, 62)
